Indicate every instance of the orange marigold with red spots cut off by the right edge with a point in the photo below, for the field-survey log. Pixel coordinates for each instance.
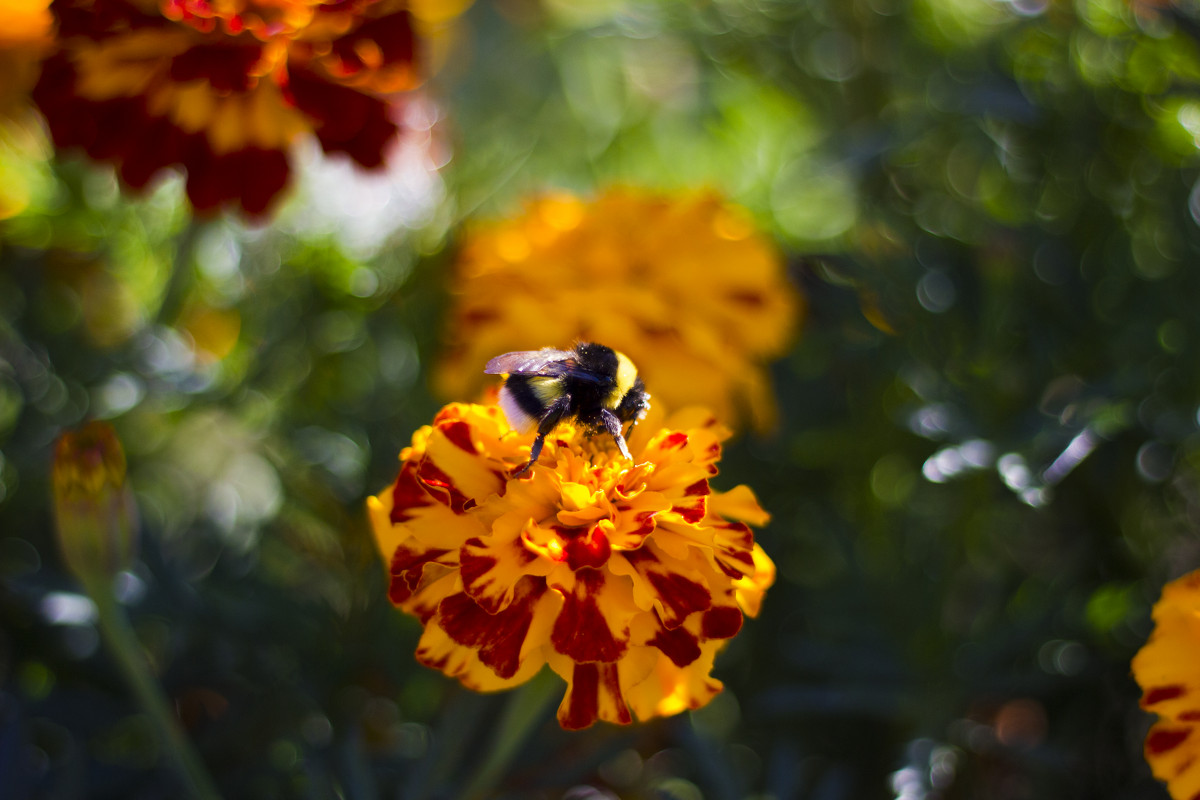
(1168, 670)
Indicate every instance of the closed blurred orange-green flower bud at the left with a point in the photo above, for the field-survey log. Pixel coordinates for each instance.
(94, 509)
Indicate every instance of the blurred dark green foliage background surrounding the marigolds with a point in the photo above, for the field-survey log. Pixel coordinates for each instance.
(987, 465)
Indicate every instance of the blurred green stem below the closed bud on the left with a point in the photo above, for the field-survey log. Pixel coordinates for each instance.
(124, 645)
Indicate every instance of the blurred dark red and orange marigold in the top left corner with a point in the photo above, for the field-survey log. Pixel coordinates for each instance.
(224, 87)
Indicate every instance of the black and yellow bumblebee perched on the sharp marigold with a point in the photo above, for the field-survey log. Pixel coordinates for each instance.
(593, 384)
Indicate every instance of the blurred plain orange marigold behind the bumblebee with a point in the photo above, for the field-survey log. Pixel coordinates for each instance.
(683, 285)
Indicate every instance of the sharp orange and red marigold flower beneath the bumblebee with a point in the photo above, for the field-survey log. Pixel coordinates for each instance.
(627, 579)
